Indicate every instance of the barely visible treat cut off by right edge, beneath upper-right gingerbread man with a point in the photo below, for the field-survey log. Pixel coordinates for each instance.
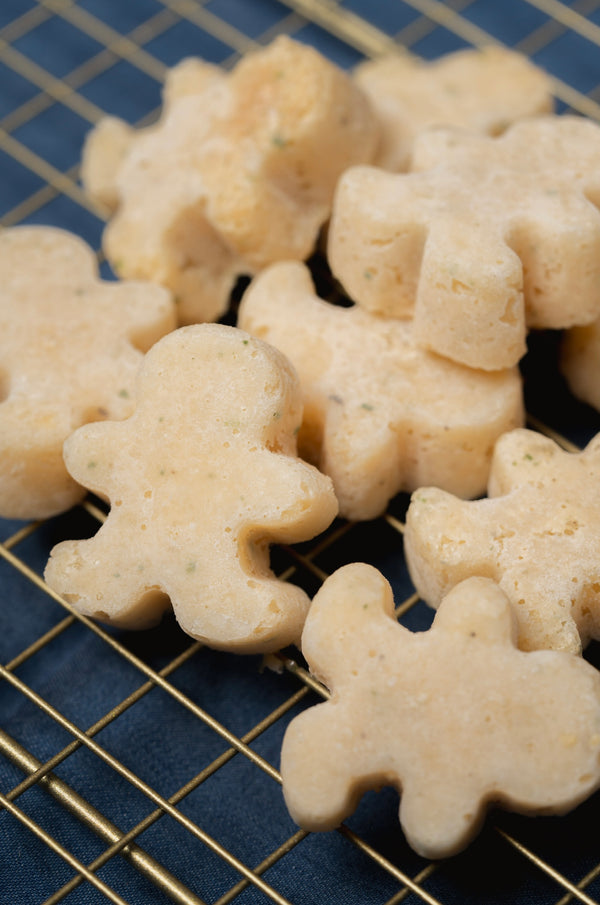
(580, 362)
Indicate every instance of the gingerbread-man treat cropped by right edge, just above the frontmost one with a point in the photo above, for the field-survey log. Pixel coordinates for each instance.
(537, 535)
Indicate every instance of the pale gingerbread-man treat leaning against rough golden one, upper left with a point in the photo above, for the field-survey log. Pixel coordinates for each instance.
(149, 183)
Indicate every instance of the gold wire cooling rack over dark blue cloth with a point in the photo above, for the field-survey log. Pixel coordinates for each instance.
(143, 768)
